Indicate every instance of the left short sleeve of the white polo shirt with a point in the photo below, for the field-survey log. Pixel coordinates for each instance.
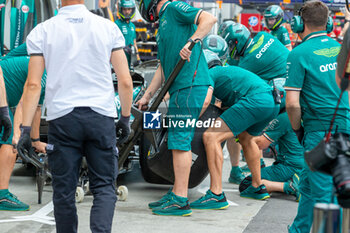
(34, 41)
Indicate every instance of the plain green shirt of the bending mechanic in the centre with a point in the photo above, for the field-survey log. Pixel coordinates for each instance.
(232, 83)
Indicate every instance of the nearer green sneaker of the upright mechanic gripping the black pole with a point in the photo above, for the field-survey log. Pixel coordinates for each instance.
(175, 206)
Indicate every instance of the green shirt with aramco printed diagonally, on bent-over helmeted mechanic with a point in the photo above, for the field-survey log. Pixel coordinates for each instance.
(265, 57)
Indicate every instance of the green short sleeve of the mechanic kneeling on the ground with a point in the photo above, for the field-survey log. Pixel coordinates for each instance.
(277, 128)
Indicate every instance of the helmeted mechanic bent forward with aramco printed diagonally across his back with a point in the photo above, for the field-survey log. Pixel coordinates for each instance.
(263, 55)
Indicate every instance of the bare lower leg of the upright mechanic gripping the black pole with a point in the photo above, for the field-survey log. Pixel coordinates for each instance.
(182, 161)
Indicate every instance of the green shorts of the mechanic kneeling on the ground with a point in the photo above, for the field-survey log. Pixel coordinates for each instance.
(279, 172)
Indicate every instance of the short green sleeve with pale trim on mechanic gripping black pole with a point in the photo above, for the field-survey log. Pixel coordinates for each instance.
(186, 14)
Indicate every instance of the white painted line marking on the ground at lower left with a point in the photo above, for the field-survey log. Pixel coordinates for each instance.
(38, 216)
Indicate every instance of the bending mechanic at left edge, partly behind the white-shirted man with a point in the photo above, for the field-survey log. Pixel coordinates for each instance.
(14, 72)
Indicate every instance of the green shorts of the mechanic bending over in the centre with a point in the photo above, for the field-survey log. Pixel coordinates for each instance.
(251, 113)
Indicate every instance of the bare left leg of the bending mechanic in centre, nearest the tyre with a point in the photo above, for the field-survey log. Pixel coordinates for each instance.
(212, 139)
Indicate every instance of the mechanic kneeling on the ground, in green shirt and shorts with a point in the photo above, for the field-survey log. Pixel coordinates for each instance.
(283, 175)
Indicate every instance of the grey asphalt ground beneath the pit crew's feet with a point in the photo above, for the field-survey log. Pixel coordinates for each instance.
(133, 215)
